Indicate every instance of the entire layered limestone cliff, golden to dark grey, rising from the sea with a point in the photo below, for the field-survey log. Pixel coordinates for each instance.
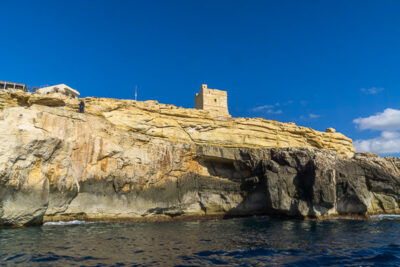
(143, 160)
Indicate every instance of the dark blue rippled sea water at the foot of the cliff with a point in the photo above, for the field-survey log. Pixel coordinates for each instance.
(257, 241)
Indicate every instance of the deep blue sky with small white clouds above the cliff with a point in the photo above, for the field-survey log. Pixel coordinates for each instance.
(316, 63)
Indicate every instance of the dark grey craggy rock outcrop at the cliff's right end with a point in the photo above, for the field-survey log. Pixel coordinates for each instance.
(312, 183)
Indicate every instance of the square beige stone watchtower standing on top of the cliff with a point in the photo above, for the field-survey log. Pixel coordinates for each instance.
(212, 100)
